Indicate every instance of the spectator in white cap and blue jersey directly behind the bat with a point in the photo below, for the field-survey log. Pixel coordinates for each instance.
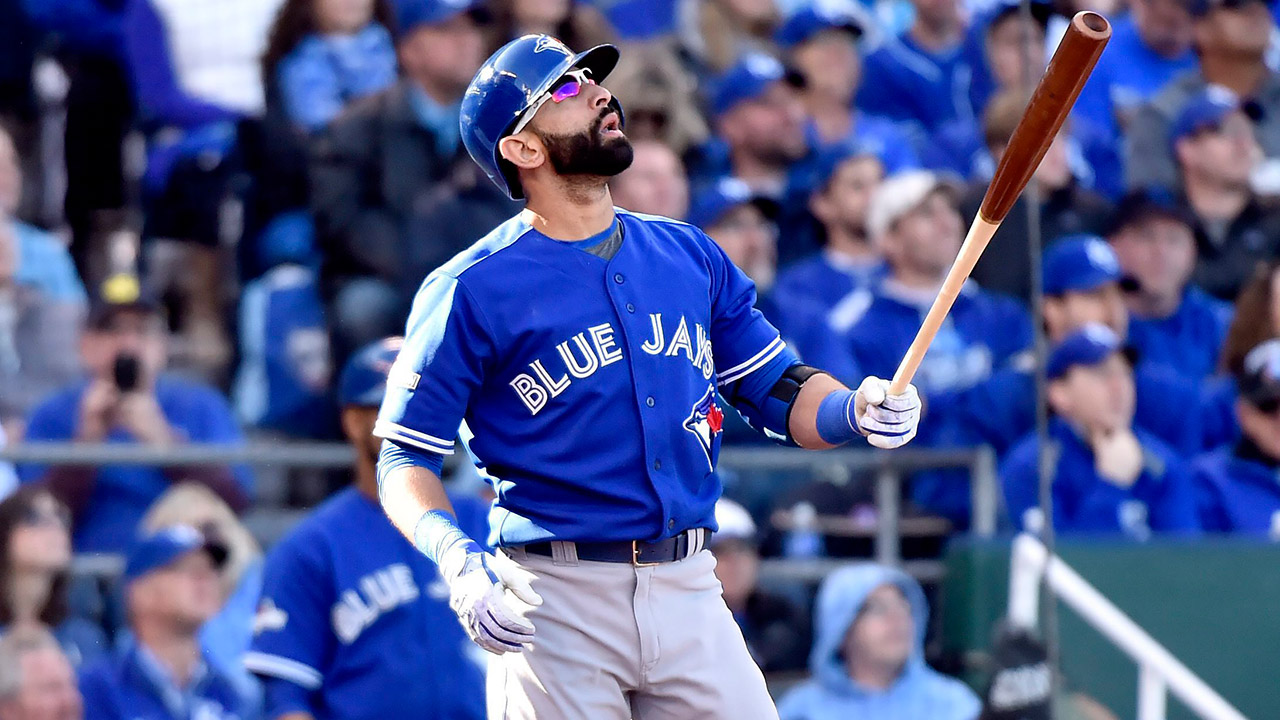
(915, 221)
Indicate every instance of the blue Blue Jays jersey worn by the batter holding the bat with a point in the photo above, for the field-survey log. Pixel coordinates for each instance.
(589, 385)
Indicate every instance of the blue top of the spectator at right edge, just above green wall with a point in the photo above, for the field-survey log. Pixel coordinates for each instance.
(1237, 491)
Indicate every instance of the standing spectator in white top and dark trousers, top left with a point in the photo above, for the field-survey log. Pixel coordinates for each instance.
(196, 75)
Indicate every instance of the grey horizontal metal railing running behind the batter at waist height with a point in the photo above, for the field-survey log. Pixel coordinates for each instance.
(889, 470)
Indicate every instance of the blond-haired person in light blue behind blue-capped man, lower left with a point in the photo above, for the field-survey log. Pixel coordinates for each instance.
(227, 636)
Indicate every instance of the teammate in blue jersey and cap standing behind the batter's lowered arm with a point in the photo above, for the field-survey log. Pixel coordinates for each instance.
(354, 623)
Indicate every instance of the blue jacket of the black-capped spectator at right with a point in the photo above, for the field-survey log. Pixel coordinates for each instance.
(1190, 340)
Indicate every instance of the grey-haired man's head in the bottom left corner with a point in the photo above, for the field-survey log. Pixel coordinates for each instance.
(36, 681)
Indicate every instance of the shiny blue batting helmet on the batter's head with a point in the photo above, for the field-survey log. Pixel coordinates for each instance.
(508, 85)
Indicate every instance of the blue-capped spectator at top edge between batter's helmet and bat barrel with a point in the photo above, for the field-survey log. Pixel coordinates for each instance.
(822, 44)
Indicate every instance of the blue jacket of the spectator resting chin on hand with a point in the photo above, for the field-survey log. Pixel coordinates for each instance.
(1162, 499)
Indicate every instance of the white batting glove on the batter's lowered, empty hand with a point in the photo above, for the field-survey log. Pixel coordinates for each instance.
(486, 595)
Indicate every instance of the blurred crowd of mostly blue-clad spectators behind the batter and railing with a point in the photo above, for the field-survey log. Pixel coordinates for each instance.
(207, 209)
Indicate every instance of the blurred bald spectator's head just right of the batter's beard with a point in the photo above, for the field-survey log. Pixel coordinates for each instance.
(655, 184)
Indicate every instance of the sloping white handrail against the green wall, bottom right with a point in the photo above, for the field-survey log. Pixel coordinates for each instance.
(1159, 672)
